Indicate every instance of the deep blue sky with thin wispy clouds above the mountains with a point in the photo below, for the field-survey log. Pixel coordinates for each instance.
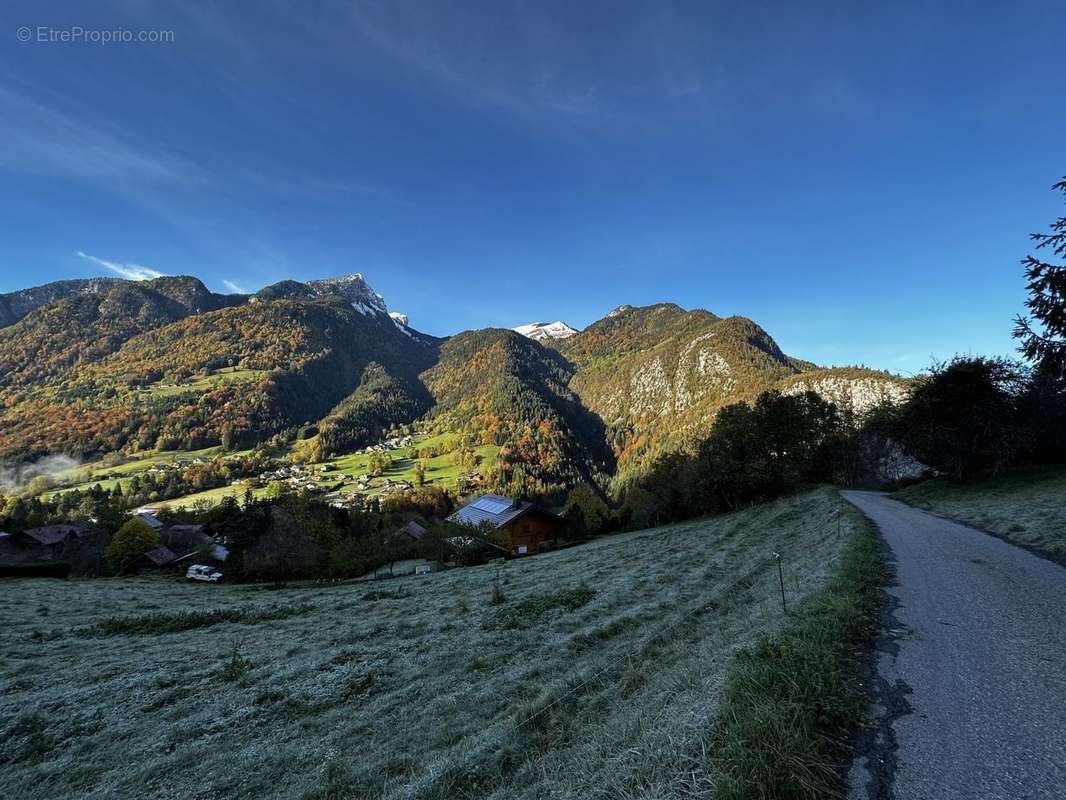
(861, 180)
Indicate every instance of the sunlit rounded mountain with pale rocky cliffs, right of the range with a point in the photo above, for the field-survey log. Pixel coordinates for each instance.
(659, 375)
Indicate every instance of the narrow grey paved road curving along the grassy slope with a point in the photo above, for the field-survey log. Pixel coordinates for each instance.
(971, 695)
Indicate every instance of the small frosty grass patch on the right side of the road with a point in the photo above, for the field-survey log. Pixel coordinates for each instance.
(1027, 506)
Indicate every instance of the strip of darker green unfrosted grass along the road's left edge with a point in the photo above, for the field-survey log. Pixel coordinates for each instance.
(792, 703)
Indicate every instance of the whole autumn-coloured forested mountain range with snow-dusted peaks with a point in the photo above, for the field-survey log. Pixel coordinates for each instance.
(89, 367)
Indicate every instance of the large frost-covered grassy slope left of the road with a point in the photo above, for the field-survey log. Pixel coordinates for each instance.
(433, 695)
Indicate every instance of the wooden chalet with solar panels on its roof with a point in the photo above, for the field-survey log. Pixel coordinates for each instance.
(521, 526)
